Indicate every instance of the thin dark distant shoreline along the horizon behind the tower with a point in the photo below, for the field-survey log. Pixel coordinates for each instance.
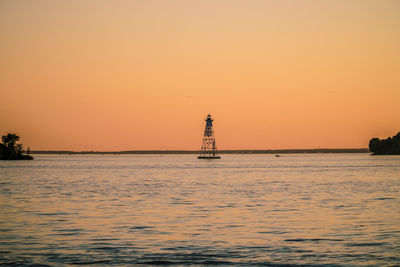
(277, 151)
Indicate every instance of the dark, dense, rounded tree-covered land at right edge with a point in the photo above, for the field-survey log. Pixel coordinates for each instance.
(389, 146)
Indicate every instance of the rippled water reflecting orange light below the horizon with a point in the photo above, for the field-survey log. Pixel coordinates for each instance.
(243, 209)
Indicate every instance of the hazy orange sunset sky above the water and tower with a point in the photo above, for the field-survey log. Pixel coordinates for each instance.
(142, 75)
